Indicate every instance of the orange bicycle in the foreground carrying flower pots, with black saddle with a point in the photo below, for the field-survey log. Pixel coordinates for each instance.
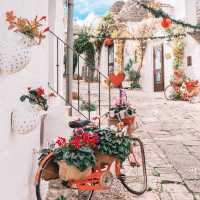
(131, 173)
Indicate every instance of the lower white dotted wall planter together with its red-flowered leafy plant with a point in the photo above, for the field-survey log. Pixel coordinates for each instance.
(27, 118)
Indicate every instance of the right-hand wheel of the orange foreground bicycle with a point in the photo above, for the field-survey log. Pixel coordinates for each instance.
(133, 173)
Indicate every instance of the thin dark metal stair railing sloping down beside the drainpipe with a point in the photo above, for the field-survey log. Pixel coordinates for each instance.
(76, 106)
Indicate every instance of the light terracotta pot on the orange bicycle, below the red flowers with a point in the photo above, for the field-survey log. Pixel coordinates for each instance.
(70, 172)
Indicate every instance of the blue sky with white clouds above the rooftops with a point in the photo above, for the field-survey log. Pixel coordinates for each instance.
(89, 10)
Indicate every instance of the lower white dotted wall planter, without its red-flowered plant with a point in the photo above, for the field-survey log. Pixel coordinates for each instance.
(25, 120)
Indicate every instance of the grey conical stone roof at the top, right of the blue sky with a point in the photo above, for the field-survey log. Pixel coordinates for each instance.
(132, 12)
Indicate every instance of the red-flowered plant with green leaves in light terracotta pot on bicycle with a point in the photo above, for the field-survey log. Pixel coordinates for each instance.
(75, 158)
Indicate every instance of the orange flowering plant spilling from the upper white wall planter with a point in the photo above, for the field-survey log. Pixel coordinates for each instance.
(31, 28)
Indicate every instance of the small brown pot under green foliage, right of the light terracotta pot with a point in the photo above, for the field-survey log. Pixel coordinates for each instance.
(103, 160)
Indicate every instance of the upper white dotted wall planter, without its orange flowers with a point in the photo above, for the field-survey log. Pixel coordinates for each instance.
(16, 57)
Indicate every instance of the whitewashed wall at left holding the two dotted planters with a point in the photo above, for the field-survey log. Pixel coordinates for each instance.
(16, 152)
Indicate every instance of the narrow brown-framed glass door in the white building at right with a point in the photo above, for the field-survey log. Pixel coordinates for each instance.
(158, 68)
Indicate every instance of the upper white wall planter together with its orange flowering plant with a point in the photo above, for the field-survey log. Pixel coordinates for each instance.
(15, 58)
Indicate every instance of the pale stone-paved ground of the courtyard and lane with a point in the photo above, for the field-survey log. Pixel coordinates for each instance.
(171, 135)
